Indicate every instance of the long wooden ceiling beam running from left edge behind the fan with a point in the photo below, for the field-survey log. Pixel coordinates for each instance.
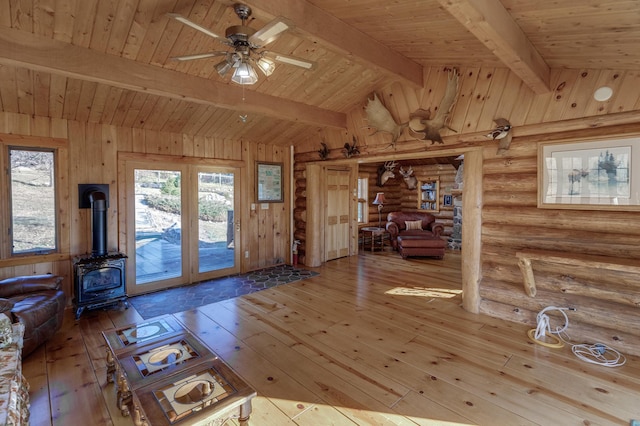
(23, 49)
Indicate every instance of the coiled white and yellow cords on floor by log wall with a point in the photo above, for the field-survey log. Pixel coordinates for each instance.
(598, 353)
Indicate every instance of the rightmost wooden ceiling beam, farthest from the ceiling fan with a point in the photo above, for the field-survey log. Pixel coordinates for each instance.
(492, 24)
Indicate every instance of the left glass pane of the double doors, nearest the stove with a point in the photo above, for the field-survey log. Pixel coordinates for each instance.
(158, 225)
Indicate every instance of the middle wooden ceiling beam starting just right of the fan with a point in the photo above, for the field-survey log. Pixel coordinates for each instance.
(343, 38)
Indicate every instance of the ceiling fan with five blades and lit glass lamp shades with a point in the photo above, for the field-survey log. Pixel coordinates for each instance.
(247, 46)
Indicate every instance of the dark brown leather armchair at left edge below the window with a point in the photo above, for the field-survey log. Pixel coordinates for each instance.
(38, 302)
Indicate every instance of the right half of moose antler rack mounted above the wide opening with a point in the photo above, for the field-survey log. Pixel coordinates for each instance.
(422, 126)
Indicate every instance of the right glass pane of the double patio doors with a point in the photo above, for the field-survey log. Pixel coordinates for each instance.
(216, 229)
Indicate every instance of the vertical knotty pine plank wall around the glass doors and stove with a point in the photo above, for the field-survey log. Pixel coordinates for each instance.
(93, 158)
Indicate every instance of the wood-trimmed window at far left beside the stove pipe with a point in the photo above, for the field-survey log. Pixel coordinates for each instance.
(31, 215)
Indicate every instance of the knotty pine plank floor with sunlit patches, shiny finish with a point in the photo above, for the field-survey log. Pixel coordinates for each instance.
(372, 340)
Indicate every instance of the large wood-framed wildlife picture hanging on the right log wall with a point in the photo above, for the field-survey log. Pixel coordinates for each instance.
(590, 175)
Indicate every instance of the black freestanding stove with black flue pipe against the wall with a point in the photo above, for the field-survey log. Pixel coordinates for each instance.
(99, 278)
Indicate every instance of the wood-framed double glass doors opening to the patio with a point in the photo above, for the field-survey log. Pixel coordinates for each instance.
(181, 224)
